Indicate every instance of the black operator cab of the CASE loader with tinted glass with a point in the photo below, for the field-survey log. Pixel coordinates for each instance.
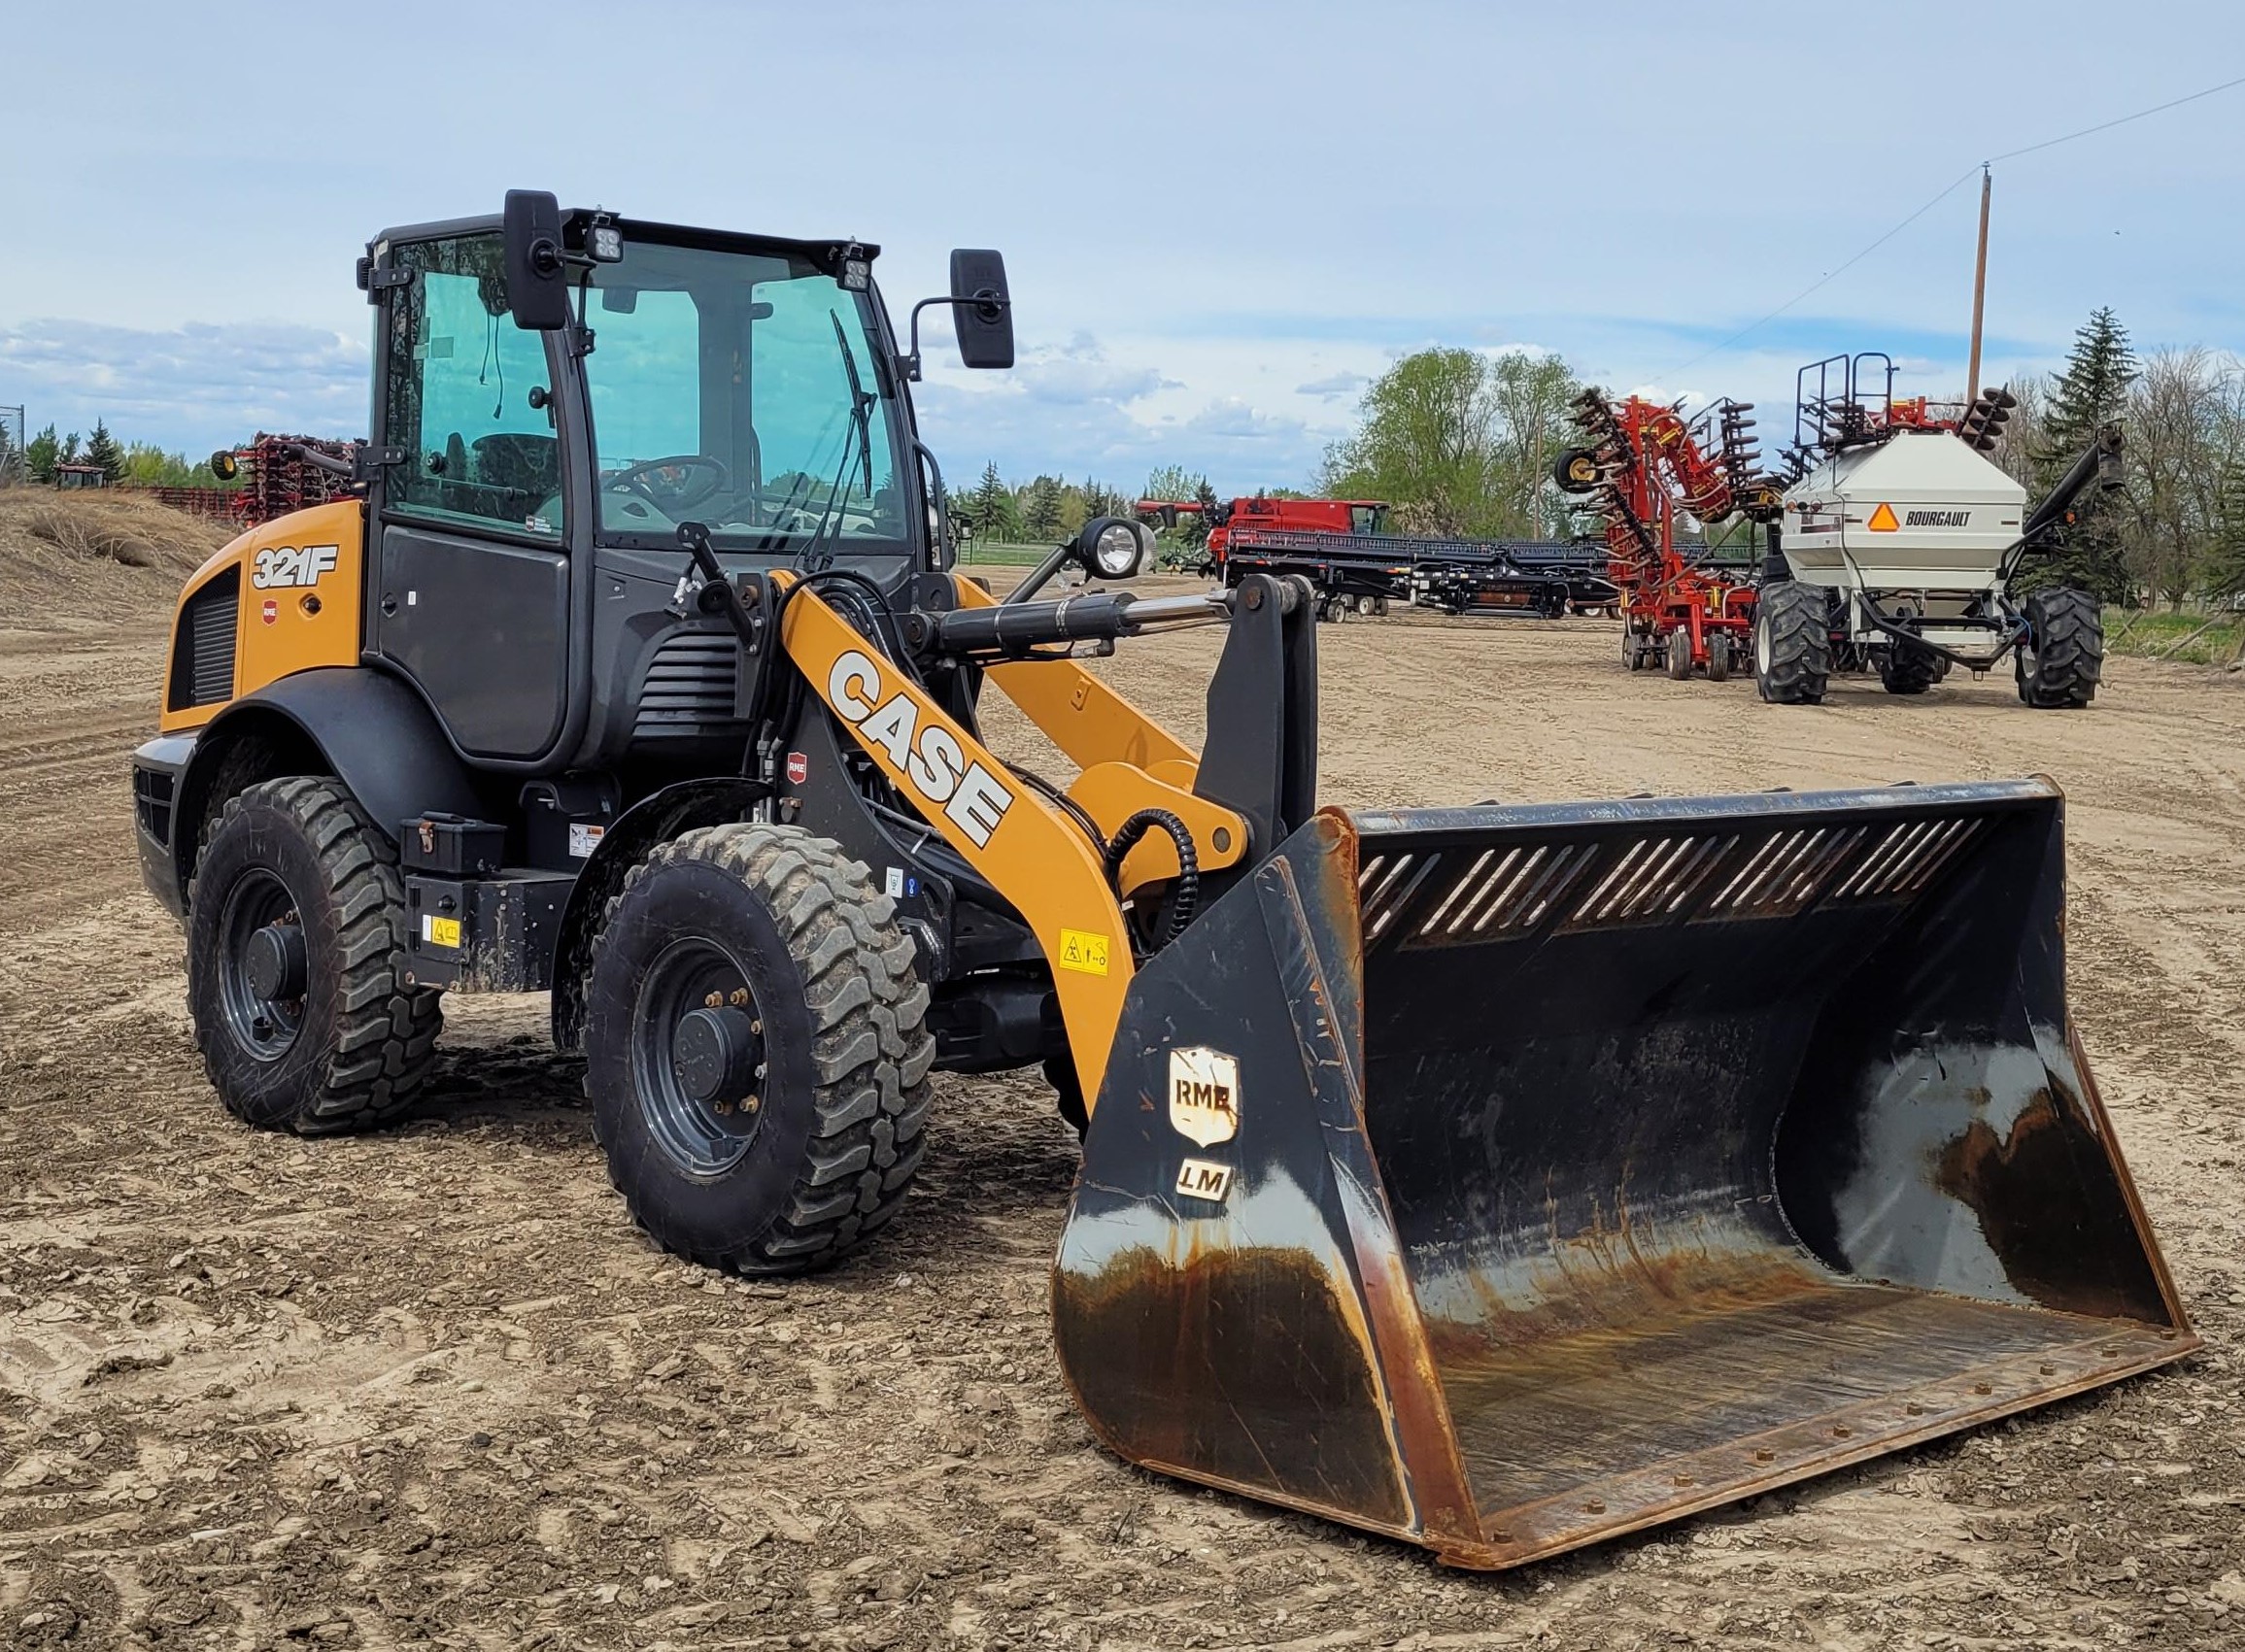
(558, 394)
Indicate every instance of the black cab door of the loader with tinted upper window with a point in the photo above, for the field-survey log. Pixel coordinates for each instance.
(473, 580)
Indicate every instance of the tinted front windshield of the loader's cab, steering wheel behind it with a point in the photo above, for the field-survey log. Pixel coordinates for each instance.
(742, 392)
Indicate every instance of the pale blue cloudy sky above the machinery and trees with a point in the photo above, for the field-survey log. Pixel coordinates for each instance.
(1218, 219)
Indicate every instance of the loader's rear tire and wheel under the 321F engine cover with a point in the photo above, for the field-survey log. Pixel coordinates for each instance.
(295, 964)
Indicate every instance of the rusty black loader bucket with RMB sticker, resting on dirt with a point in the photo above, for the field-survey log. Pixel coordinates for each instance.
(1505, 1180)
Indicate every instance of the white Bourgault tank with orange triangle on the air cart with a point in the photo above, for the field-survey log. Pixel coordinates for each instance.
(1916, 515)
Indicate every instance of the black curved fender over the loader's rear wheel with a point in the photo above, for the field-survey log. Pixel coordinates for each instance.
(365, 728)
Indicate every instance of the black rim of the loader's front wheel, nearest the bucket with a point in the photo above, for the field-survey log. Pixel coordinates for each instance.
(704, 1139)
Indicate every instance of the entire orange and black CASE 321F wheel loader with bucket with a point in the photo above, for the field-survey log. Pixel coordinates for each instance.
(1496, 1177)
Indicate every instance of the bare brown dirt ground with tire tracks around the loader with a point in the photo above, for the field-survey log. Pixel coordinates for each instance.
(430, 1388)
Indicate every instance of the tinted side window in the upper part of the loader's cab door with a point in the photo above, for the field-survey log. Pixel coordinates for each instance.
(466, 396)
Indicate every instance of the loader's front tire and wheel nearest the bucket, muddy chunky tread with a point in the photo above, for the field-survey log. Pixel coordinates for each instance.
(758, 1049)
